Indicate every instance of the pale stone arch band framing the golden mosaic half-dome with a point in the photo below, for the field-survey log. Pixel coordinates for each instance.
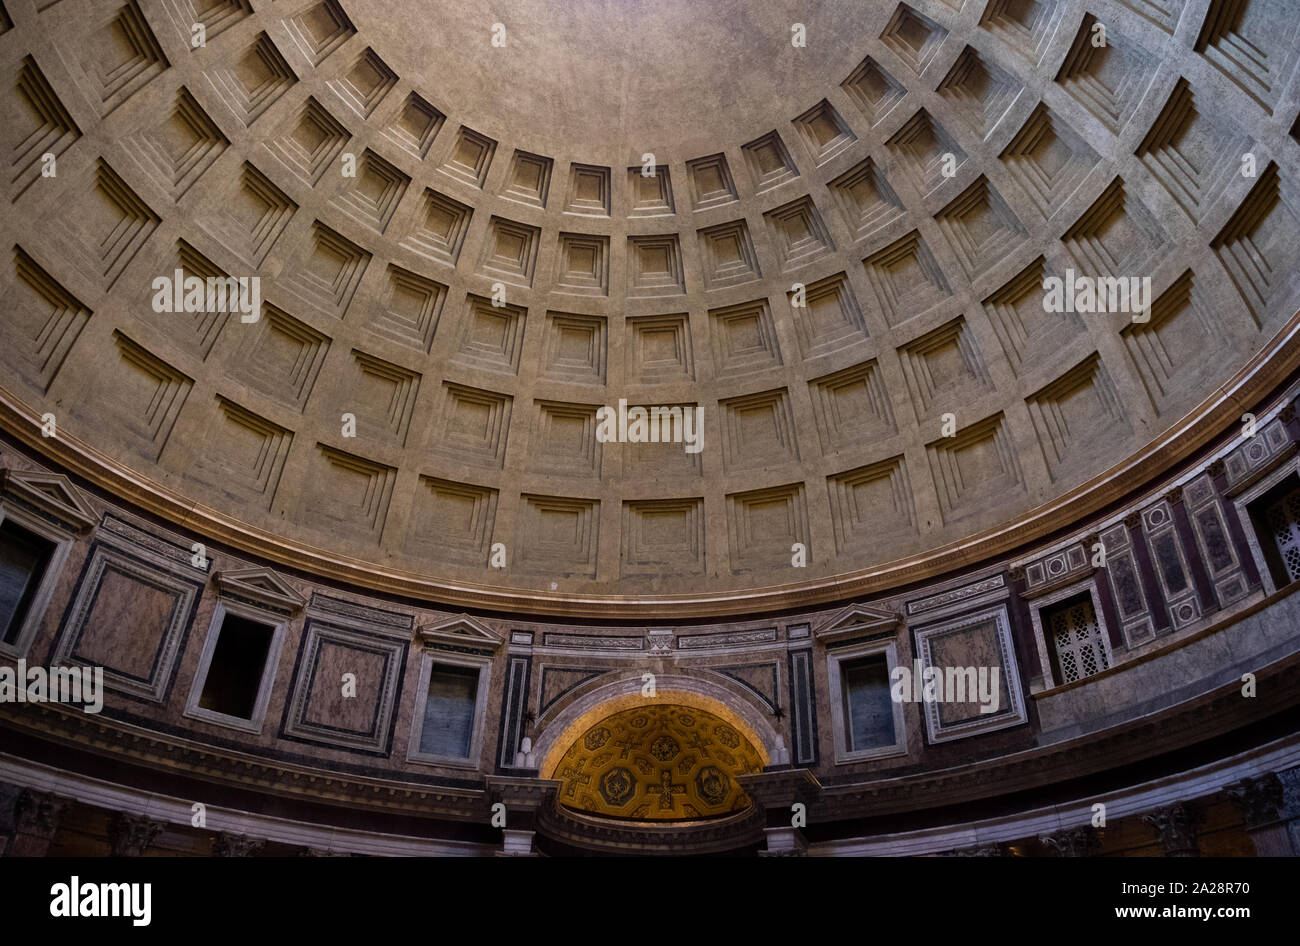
(623, 689)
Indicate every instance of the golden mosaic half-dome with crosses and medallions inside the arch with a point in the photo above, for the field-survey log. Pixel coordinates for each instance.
(658, 763)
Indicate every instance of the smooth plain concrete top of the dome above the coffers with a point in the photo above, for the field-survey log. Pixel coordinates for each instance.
(606, 81)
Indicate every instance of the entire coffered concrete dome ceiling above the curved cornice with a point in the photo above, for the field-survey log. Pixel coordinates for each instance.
(913, 177)
